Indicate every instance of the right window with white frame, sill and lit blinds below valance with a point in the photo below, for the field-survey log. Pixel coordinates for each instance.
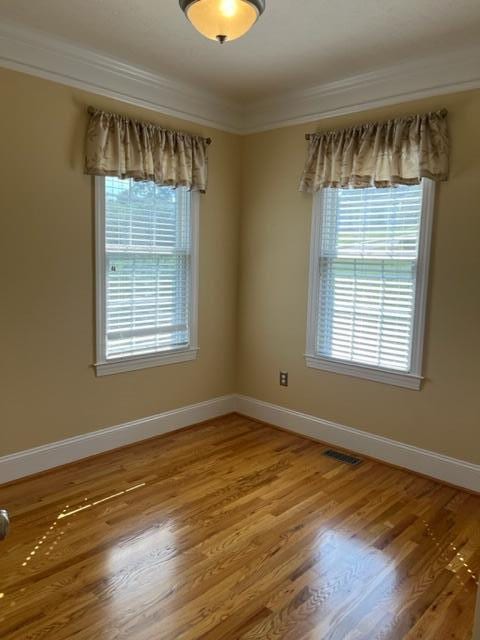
(368, 281)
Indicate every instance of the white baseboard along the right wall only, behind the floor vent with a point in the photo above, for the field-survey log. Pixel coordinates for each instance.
(456, 472)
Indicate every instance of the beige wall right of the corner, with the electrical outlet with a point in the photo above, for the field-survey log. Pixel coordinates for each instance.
(275, 235)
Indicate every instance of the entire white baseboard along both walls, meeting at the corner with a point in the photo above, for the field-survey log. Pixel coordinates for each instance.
(25, 463)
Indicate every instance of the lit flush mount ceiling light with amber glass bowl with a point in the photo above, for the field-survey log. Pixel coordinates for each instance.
(223, 20)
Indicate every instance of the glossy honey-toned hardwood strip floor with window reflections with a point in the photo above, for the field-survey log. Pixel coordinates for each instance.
(233, 529)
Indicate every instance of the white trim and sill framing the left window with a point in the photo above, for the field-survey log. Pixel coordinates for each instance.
(105, 367)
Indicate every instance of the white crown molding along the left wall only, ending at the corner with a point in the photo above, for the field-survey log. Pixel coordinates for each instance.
(41, 55)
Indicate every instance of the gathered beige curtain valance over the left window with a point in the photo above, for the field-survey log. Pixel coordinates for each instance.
(120, 146)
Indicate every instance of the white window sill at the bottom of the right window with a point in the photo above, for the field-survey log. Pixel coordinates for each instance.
(385, 376)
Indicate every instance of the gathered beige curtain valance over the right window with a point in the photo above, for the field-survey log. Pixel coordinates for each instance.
(382, 154)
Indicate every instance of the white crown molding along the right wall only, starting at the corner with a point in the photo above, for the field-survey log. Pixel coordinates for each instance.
(439, 75)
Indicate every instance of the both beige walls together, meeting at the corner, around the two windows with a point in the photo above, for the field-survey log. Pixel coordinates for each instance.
(48, 389)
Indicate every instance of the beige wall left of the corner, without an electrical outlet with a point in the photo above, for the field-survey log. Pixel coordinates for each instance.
(48, 389)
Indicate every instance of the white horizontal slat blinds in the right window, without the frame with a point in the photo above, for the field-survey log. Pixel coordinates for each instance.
(367, 263)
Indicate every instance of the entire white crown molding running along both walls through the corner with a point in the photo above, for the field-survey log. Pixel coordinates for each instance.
(41, 55)
